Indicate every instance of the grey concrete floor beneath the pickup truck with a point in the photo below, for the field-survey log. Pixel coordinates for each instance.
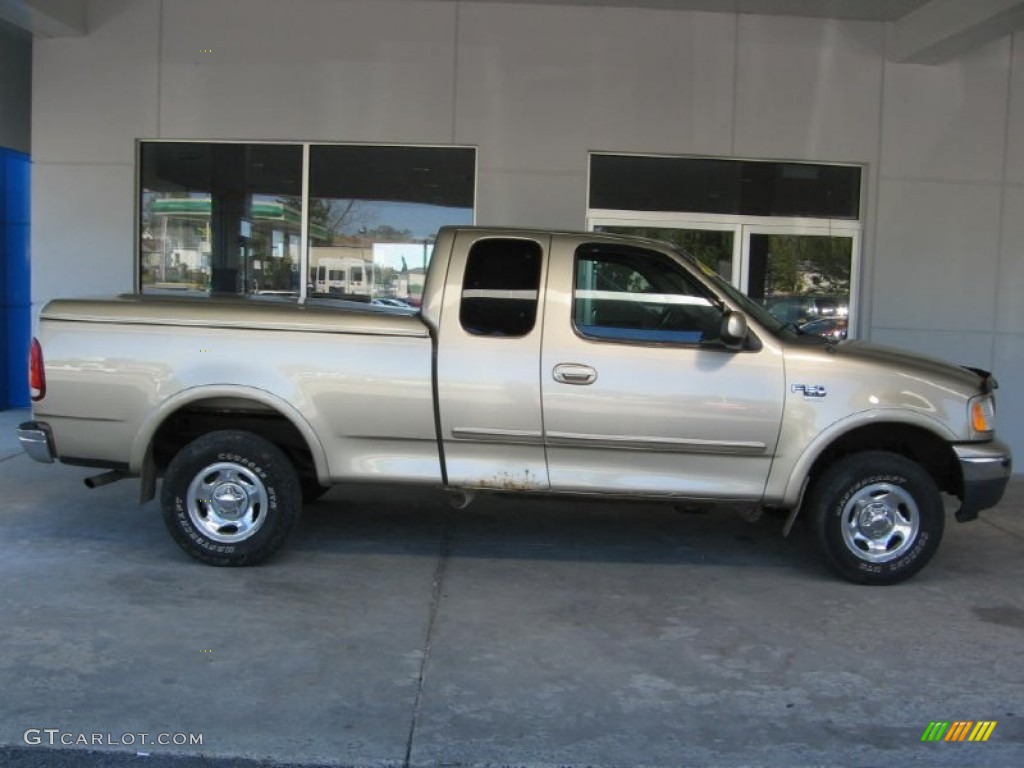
(397, 632)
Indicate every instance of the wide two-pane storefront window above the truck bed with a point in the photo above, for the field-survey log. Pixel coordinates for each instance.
(228, 219)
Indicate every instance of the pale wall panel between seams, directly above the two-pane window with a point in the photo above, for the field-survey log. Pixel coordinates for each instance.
(328, 70)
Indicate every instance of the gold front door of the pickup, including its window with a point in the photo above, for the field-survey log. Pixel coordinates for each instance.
(641, 397)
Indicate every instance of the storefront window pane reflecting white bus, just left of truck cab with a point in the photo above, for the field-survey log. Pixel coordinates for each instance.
(374, 212)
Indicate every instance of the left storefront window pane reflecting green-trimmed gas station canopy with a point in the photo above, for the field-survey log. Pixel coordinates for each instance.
(221, 219)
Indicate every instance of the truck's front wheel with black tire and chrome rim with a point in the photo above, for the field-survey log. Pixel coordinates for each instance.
(900, 524)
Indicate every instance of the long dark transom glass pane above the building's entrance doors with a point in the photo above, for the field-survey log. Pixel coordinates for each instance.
(630, 183)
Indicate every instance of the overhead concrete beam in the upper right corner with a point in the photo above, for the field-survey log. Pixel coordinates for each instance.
(943, 29)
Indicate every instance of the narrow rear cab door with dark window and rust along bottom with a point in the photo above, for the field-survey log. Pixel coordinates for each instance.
(489, 349)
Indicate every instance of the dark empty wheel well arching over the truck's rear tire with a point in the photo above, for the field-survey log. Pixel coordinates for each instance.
(201, 417)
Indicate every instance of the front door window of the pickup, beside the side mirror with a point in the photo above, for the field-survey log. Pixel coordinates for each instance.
(624, 294)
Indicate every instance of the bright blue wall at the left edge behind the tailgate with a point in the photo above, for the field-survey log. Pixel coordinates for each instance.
(16, 302)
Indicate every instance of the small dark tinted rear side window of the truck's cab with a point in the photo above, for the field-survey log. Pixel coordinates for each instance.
(501, 286)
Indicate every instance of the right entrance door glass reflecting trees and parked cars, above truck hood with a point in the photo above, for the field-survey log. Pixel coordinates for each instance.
(803, 280)
